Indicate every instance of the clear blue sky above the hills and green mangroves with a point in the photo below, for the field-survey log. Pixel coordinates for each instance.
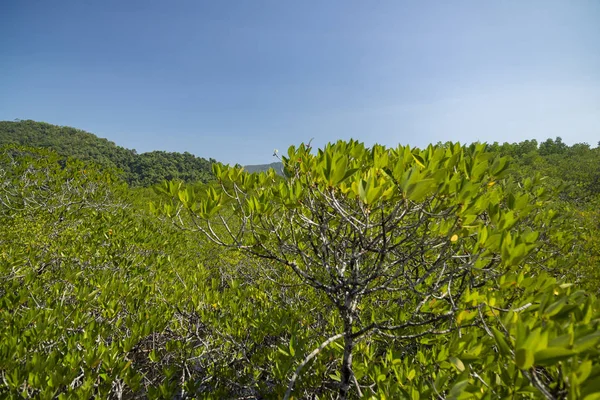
(233, 80)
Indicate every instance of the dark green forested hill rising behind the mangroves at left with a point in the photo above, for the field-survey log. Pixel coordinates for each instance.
(139, 169)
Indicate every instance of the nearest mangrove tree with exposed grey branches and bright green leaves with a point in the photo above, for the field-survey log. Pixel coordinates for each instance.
(383, 233)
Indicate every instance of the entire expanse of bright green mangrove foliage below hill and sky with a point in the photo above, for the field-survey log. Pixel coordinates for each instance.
(363, 273)
